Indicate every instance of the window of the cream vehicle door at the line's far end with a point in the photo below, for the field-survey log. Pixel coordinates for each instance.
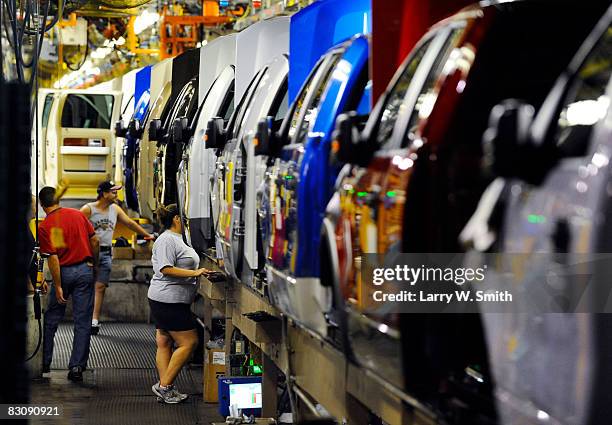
(88, 111)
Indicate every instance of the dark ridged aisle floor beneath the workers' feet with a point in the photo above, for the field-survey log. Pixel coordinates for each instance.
(117, 387)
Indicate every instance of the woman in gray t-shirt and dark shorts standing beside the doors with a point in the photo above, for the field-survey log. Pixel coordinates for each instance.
(172, 290)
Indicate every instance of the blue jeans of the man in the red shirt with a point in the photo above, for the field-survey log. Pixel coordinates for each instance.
(78, 283)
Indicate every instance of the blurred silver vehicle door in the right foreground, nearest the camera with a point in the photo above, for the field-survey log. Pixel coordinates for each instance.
(574, 194)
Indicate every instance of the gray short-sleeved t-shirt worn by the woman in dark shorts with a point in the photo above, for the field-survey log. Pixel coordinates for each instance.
(170, 250)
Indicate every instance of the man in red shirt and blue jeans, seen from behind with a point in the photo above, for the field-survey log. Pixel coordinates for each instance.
(71, 242)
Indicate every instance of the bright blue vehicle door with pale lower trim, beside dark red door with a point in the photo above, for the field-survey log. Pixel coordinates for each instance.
(301, 181)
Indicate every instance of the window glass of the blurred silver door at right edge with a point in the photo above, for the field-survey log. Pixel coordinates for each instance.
(587, 102)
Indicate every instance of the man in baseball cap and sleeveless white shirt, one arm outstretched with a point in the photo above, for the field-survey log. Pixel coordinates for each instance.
(104, 214)
